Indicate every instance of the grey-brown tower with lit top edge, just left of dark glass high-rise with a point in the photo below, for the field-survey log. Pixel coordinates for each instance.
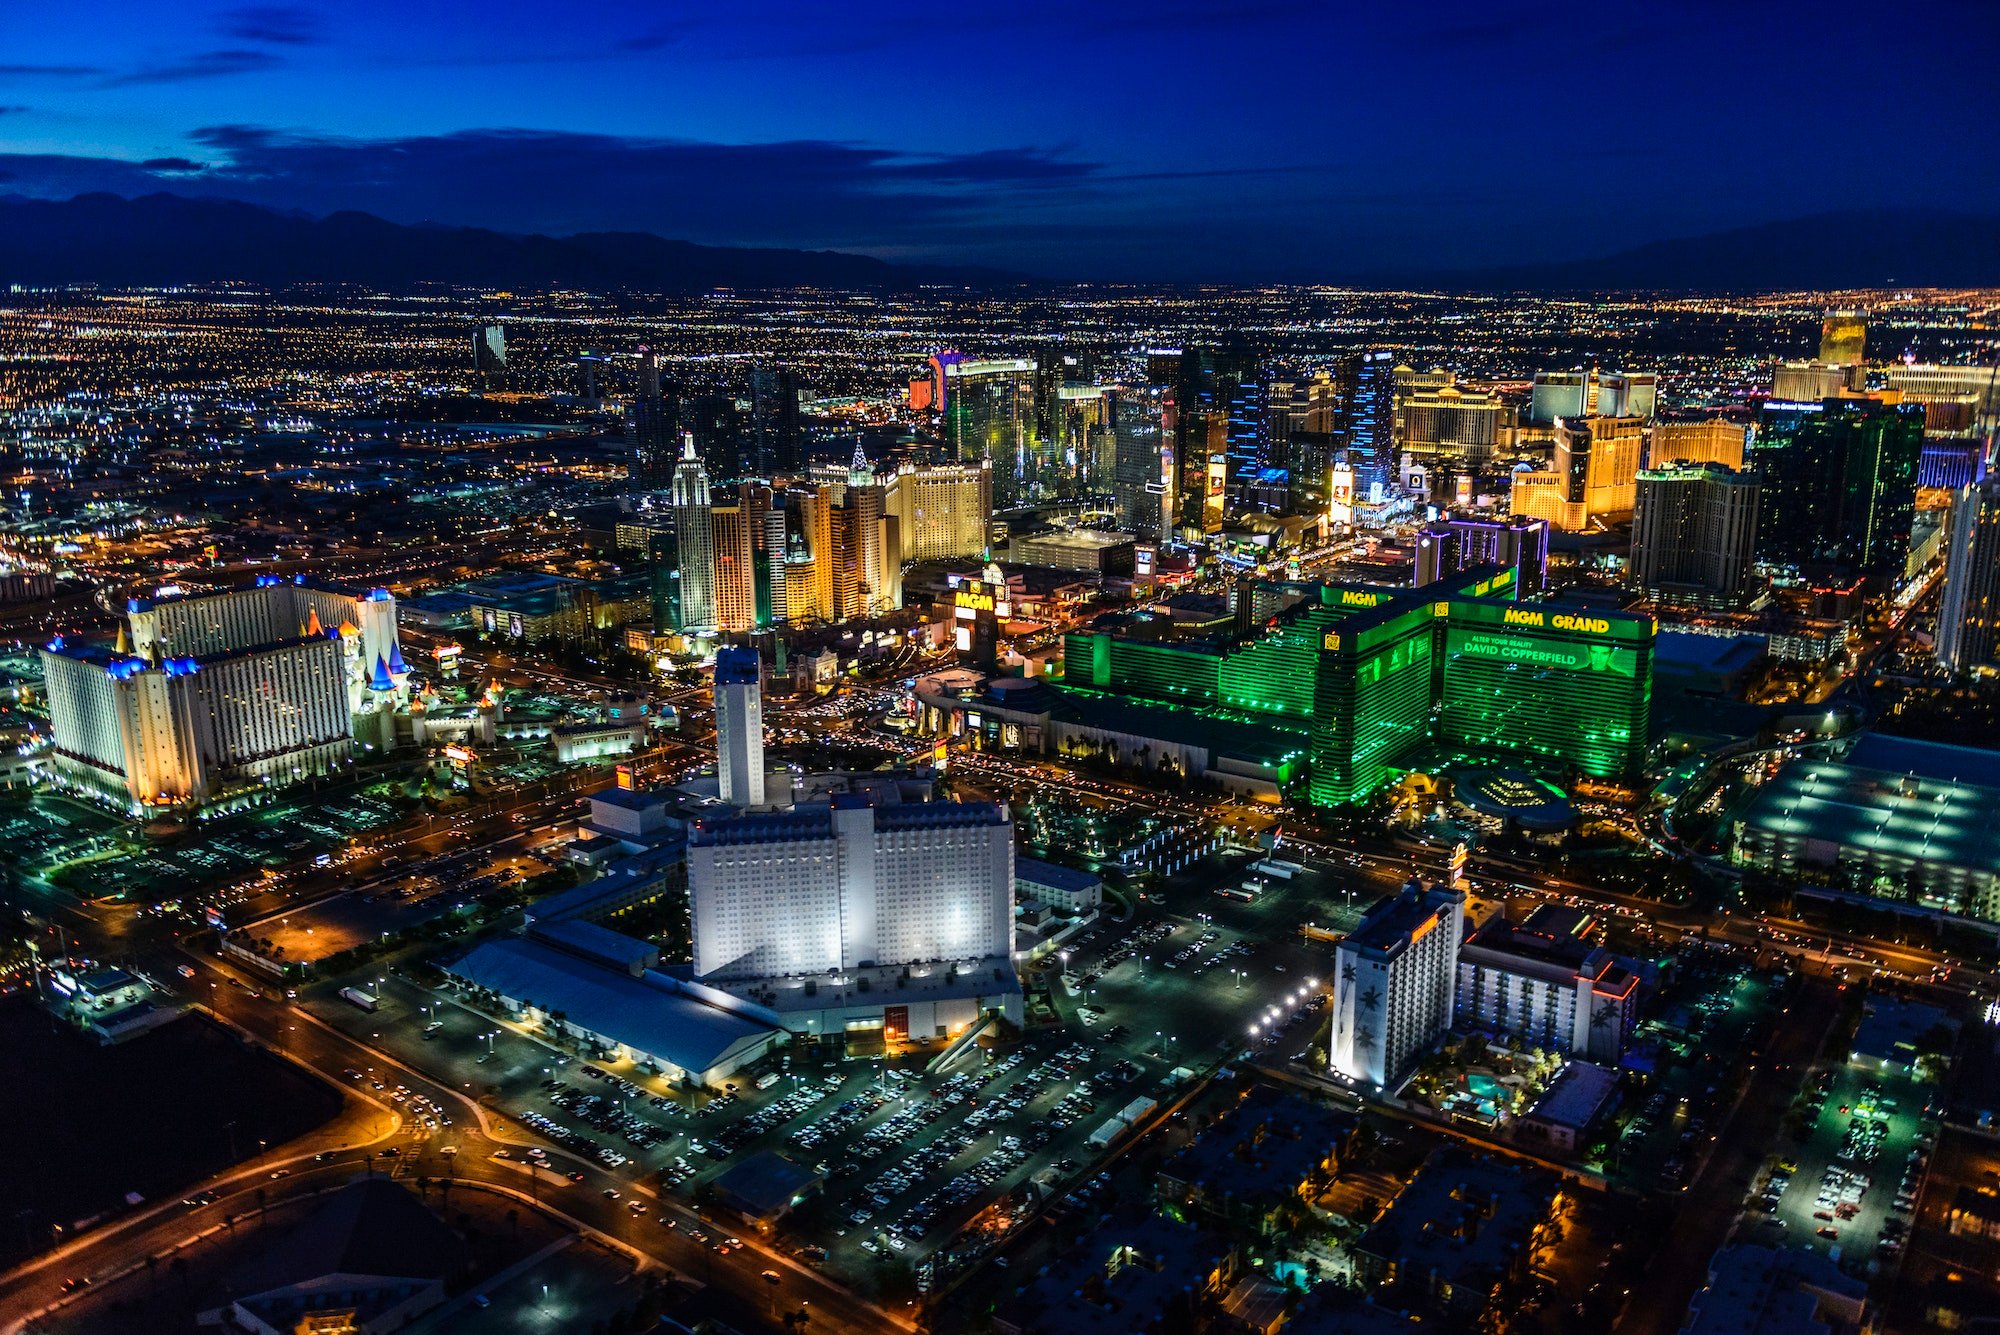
(1695, 533)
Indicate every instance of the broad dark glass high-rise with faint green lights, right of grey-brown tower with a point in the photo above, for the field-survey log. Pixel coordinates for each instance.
(1839, 483)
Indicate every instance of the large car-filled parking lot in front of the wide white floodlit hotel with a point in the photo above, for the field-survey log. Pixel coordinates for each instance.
(911, 1158)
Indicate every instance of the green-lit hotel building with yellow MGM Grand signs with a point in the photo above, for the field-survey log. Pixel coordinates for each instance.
(1373, 674)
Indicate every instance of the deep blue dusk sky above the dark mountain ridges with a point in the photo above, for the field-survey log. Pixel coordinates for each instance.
(1069, 139)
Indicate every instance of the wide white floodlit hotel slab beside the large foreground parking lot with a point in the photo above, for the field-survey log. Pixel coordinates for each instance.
(851, 884)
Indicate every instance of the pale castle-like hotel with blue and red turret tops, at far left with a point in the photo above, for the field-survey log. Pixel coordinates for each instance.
(221, 694)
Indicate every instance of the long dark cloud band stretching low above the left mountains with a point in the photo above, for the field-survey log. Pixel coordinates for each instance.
(789, 193)
